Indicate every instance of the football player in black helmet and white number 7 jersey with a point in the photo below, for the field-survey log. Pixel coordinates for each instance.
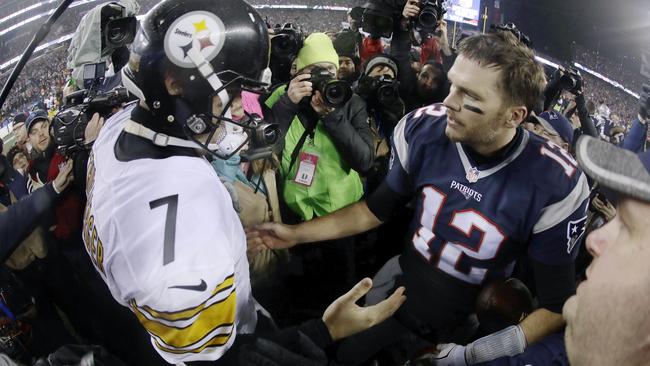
(159, 226)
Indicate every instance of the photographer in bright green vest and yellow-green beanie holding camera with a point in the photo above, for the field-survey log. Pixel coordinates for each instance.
(327, 144)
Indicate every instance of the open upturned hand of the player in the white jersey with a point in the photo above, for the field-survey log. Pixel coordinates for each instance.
(344, 317)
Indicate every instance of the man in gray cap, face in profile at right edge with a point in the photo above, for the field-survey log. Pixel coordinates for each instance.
(608, 320)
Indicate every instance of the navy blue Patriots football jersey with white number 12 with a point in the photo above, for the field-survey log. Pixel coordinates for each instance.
(474, 221)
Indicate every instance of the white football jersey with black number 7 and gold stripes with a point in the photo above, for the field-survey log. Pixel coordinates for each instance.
(163, 235)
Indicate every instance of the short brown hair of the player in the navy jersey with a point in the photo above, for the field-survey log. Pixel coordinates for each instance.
(522, 78)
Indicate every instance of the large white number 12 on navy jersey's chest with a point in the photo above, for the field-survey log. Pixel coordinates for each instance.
(466, 222)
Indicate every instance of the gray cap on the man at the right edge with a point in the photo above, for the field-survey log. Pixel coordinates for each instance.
(615, 168)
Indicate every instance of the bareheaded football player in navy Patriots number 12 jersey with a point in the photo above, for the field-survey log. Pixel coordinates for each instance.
(488, 192)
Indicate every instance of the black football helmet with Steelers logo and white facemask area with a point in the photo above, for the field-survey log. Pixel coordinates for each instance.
(212, 48)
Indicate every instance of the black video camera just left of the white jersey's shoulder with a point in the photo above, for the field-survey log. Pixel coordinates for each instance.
(69, 125)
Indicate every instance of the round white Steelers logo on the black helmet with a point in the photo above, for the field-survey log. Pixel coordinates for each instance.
(195, 33)
